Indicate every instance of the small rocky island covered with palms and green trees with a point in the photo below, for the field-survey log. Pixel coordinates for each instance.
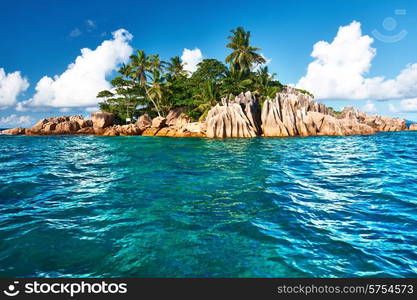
(151, 97)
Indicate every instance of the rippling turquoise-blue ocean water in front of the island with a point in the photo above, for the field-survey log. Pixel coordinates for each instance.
(166, 207)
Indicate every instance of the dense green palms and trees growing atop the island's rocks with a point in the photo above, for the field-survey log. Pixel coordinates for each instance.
(147, 84)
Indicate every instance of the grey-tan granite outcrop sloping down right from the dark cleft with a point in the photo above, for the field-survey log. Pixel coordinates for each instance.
(294, 113)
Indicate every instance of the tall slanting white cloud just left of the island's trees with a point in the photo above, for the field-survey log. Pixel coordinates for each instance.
(83, 79)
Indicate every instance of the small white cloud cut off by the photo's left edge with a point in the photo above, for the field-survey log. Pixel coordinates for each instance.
(11, 85)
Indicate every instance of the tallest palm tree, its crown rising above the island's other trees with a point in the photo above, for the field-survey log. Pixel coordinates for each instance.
(243, 57)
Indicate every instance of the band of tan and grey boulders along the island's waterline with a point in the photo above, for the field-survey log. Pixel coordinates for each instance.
(290, 113)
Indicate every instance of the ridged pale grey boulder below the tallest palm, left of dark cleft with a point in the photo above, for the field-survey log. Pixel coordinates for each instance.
(237, 118)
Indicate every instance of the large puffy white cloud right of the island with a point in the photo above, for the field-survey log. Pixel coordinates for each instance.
(339, 70)
